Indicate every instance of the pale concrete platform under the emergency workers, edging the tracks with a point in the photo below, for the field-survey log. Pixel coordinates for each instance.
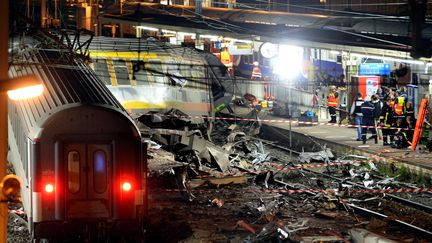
(342, 140)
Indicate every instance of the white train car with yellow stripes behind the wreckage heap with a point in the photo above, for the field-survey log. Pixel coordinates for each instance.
(147, 75)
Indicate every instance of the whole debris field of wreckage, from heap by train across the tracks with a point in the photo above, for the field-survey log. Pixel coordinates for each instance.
(201, 161)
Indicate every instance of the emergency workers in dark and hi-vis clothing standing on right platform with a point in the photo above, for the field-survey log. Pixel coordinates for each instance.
(390, 109)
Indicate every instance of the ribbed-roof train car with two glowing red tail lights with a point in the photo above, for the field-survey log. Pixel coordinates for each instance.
(77, 151)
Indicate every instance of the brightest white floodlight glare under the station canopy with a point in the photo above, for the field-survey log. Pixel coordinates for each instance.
(289, 62)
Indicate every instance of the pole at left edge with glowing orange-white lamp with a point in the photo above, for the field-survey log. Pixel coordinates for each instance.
(7, 85)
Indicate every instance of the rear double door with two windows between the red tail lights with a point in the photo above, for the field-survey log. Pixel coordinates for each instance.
(88, 180)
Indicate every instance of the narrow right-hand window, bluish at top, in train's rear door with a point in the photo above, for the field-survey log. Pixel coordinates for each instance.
(99, 171)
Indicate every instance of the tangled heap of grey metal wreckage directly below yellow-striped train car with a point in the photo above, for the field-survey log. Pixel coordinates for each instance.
(227, 160)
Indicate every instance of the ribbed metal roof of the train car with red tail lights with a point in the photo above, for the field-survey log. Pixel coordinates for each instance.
(68, 83)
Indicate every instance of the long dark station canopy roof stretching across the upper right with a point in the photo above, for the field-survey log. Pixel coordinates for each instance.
(380, 35)
